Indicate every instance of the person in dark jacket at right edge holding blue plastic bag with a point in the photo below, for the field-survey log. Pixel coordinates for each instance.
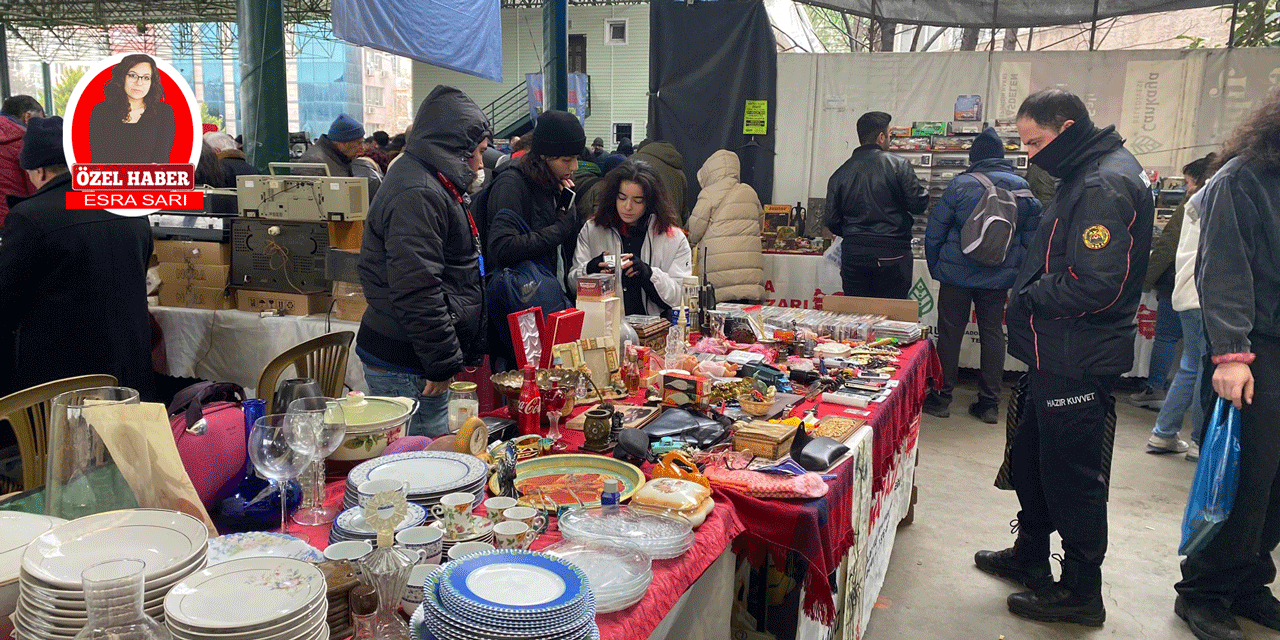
(1238, 276)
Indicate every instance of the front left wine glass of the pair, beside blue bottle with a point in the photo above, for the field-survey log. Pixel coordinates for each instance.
(281, 447)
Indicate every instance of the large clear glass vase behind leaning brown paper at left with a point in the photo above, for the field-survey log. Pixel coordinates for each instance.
(81, 477)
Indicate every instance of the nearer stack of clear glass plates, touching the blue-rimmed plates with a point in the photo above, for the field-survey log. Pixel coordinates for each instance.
(619, 574)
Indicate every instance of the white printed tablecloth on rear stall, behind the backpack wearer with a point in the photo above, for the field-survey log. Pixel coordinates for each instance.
(796, 281)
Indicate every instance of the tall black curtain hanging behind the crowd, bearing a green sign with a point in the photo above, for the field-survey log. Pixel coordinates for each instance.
(706, 61)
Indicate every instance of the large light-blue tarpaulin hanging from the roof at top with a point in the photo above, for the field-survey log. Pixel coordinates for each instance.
(460, 35)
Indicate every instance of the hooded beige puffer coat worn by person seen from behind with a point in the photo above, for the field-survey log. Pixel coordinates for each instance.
(728, 222)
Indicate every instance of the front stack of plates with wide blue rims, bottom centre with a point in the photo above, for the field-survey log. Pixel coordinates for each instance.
(508, 595)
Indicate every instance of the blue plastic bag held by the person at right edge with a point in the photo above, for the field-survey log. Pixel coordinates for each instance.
(1218, 476)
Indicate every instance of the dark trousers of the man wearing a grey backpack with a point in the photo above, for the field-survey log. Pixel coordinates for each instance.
(954, 304)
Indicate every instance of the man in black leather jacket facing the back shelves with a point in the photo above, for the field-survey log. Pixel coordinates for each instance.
(872, 203)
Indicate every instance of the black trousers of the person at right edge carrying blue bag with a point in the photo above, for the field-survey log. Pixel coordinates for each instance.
(1237, 563)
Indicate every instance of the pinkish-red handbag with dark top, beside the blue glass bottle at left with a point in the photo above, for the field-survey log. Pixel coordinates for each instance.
(209, 428)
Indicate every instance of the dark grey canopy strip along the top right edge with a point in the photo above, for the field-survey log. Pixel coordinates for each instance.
(1004, 13)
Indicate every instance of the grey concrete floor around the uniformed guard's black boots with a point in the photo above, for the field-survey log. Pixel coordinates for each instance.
(935, 592)
